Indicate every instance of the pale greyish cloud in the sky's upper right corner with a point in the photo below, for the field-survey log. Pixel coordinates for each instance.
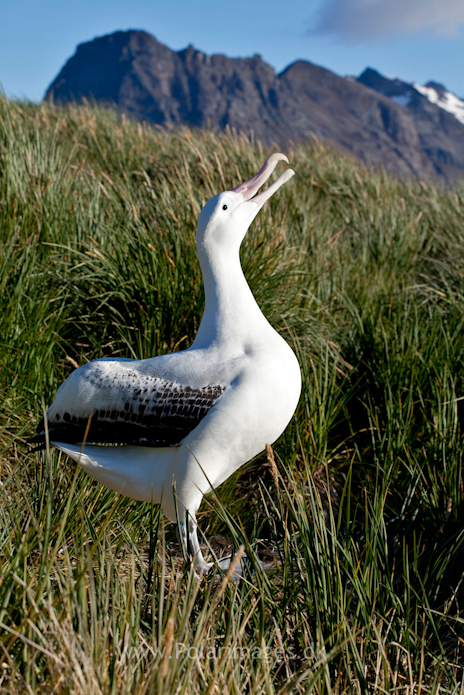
(356, 21)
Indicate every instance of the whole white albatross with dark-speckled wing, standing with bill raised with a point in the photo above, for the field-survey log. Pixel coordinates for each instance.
(186, 421)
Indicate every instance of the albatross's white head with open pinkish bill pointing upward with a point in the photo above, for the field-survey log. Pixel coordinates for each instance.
(224, 220)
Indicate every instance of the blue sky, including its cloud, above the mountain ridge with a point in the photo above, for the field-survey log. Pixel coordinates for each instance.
(417, 40)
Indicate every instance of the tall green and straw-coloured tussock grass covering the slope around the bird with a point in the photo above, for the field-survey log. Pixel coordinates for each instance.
(361, 502)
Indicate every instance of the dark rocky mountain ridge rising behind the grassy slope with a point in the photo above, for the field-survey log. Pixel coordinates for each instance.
(147, 80)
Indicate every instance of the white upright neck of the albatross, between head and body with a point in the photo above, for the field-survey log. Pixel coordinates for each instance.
(231, 314)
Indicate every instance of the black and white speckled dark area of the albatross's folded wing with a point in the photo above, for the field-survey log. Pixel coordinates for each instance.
(132, 408)
